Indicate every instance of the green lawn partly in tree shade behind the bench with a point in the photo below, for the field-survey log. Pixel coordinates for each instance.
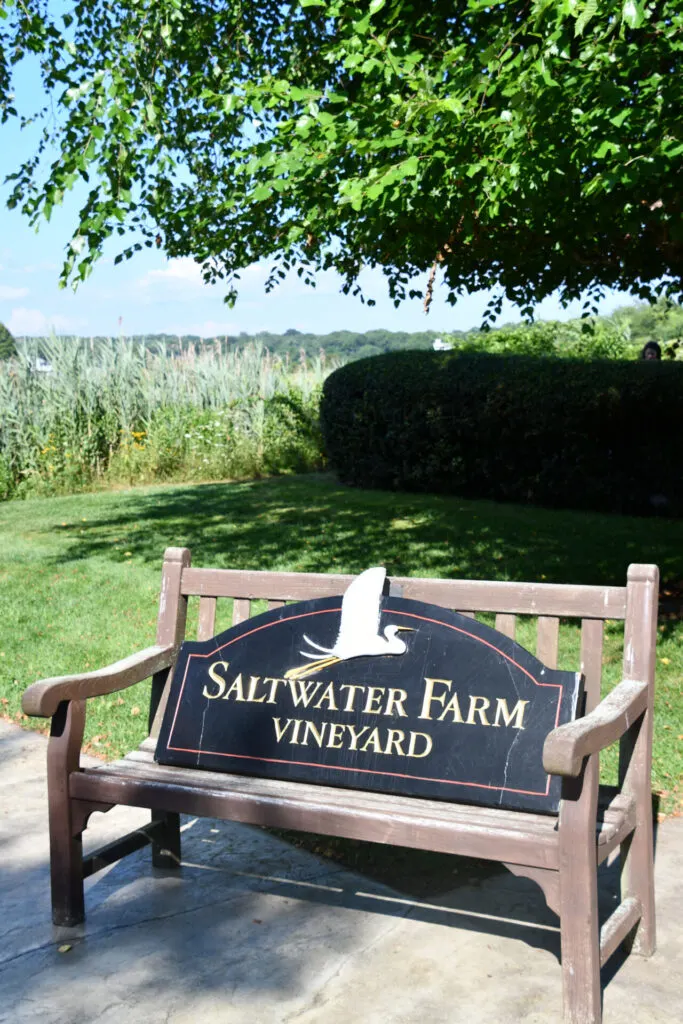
(80, 576)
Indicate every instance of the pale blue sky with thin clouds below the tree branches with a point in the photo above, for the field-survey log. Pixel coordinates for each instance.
(151, 294)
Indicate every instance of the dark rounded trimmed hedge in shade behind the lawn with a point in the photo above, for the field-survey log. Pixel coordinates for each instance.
(606, 436)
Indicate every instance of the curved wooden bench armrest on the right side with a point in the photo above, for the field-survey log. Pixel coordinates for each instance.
(567, 747)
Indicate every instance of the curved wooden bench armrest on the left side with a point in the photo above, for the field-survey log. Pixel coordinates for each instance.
(44, 699)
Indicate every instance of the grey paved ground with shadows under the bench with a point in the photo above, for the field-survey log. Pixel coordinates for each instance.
(255, 931)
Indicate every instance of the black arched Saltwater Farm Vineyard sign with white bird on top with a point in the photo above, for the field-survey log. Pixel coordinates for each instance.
(374, 693)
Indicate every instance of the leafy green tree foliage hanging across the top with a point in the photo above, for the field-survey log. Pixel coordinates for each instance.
(524, 146)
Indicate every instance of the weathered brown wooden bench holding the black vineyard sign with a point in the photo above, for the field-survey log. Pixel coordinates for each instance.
(562, 854)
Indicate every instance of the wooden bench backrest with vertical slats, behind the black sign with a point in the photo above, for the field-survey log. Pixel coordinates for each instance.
(635, 606)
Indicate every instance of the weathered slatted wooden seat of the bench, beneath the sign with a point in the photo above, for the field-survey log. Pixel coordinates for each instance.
(430, 825)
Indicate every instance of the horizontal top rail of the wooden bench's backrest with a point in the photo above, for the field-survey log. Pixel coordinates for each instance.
(564, 601)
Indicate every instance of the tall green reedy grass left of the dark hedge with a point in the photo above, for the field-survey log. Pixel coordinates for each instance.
(76, 413)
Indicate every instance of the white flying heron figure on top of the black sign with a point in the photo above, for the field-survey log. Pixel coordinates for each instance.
(360, 628)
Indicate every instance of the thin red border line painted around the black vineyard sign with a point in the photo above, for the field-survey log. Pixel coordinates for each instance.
(367, 772)
